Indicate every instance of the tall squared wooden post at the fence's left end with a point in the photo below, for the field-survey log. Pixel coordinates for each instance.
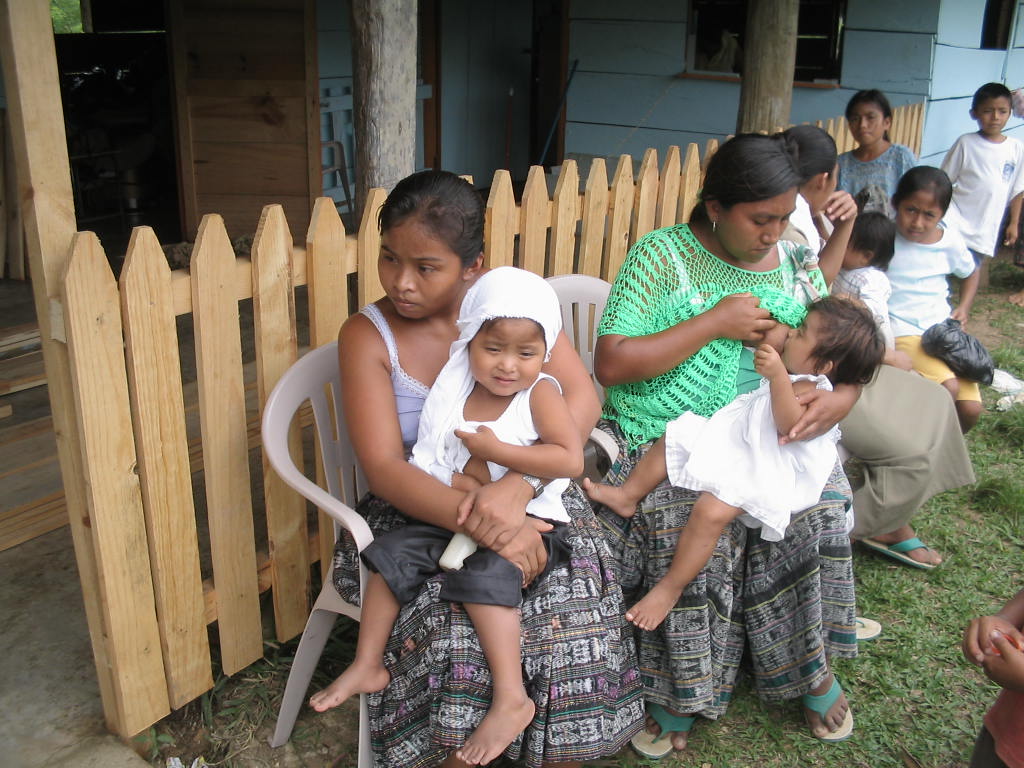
(29, 63)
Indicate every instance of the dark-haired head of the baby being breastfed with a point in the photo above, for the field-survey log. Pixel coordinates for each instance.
(838, 339)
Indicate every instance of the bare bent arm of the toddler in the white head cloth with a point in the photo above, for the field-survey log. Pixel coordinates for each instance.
(558, 454)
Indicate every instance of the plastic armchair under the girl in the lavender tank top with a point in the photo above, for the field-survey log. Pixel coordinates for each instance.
(316, 378)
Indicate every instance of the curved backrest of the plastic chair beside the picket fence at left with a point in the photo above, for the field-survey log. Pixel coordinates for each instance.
(316, 378)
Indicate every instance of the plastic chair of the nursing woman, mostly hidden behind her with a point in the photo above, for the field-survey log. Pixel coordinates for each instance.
(582, 300)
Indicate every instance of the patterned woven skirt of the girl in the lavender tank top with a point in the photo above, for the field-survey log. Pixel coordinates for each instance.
(578, 655)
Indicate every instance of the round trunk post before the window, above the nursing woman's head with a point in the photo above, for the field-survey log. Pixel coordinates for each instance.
(770, 60)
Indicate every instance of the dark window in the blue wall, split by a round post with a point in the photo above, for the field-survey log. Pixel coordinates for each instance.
(718, 34)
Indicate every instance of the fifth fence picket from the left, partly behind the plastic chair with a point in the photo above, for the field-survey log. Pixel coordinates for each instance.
(326, 245)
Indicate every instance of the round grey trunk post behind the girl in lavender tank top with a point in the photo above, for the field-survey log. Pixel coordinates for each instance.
(385, 61)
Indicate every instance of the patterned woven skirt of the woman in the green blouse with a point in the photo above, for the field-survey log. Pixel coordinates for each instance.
(790, 605)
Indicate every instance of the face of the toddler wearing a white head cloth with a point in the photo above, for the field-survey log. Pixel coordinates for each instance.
(506, 355)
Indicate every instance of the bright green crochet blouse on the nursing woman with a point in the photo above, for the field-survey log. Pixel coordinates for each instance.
(668, 278)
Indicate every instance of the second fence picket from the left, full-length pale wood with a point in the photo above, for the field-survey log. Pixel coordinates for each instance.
(158, 416)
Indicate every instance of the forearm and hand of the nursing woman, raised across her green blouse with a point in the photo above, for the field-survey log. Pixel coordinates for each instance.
(621, 360)
